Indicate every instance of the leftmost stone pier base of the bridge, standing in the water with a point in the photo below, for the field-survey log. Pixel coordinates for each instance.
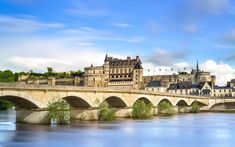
(31, 116)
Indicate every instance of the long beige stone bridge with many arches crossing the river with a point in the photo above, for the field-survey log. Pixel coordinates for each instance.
(31, 100)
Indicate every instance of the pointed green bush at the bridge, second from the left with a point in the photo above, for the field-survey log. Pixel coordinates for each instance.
(106, 113)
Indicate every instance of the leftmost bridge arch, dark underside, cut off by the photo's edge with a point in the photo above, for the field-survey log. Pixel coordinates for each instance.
(21, 100)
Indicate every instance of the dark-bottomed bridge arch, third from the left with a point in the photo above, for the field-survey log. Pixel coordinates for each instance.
(115, 102)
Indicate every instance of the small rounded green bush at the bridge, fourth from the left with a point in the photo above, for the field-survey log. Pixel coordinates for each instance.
(165, 108)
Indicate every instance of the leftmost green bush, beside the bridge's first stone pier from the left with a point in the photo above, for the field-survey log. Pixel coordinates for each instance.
(59, 110)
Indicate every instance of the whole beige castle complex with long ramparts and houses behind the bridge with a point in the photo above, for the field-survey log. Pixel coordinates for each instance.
(128, 74)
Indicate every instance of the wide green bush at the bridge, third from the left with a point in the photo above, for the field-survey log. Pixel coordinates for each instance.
(142, 110)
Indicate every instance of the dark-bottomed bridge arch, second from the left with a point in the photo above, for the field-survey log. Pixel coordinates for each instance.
(77, 102)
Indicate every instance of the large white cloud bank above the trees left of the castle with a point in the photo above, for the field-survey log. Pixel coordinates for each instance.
(39, 53)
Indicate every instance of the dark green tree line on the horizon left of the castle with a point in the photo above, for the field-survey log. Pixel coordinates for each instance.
(10, 76)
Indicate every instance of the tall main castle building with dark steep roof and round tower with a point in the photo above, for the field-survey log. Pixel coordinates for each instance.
(116, 73)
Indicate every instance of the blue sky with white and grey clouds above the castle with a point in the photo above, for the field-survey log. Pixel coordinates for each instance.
(72, 34)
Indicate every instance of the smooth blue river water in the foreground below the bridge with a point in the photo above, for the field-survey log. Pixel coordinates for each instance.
(190, 130)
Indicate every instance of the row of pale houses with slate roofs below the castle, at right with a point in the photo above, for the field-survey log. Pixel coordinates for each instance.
(188, 88)
